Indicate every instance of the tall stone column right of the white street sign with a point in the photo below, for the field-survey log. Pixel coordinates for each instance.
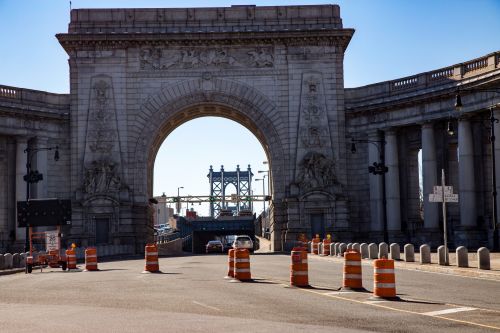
(466, 181)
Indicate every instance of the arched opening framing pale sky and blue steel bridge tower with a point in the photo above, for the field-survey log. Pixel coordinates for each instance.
(182, 170)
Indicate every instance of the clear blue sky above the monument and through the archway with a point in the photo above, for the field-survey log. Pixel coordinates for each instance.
(393, 38)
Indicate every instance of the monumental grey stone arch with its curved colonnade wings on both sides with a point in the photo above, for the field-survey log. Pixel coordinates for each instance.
(137, 74)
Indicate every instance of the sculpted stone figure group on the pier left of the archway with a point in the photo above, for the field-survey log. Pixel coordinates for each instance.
(101, 177)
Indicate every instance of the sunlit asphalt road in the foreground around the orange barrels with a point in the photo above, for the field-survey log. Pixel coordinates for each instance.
(192, 295)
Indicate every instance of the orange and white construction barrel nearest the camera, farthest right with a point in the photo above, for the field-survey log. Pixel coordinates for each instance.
(384, 280)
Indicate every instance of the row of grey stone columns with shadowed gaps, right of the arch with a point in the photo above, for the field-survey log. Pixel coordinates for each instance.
(433, 145)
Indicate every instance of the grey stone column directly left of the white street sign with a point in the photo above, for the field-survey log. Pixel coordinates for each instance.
(429, 174)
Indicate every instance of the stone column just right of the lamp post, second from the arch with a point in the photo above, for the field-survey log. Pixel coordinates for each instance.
(392, 182)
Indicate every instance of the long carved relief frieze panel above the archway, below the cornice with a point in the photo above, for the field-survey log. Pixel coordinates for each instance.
(193, 58)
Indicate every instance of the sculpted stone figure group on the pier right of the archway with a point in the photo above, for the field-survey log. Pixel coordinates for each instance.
(316, 171)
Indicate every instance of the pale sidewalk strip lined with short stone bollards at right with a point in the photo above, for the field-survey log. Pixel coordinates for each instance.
(452, 269)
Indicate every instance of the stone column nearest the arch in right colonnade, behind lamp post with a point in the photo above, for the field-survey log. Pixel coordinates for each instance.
(376, 203)
